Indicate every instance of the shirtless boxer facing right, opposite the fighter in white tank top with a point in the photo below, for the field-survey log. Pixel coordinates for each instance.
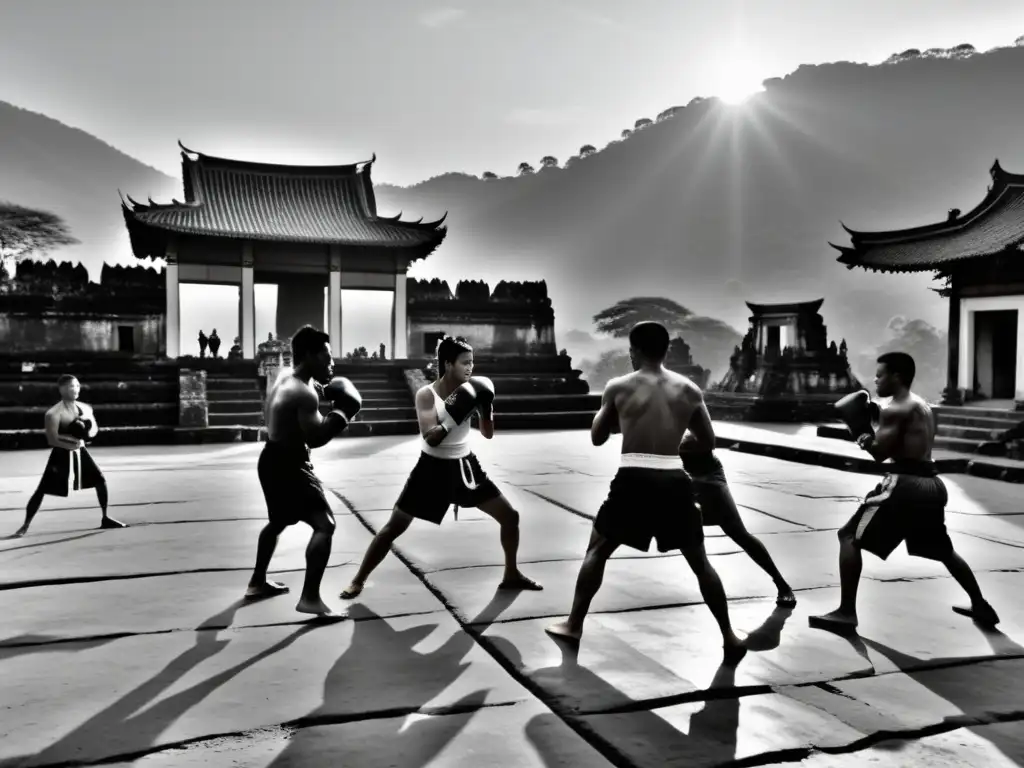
(292, 491)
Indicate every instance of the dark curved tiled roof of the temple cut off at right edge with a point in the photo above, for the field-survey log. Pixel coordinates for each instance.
(995, 226)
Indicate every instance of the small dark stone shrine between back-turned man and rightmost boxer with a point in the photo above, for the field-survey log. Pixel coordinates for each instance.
(787, 367)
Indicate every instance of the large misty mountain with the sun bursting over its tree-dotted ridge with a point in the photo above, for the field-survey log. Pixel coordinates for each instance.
(714, 205)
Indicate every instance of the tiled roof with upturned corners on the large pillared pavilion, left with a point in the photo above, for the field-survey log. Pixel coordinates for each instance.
(257, 201)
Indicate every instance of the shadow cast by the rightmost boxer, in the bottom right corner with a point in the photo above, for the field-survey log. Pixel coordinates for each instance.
(980, 688)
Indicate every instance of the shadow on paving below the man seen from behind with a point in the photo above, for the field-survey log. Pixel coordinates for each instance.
(713, 730)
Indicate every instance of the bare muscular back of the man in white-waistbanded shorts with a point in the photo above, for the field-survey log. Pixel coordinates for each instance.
(655, 409)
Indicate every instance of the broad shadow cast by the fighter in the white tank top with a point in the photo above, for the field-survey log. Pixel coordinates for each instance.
(386, 685)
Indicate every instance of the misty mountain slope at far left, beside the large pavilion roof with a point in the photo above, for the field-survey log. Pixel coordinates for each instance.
(47, 164)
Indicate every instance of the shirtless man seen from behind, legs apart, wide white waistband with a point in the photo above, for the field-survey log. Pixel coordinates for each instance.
(652, 497)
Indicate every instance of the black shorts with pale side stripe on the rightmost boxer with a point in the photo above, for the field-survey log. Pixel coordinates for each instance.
(907, 506)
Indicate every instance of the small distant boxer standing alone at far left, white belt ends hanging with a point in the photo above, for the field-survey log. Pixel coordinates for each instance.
(70, 425)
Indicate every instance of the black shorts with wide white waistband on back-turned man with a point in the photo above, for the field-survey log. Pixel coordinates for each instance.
(651, 498)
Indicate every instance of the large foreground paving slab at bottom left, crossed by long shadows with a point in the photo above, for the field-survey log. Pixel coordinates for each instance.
(136, 694)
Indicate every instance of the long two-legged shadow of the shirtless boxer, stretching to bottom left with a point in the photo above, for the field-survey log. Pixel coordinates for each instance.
(119, 728)
